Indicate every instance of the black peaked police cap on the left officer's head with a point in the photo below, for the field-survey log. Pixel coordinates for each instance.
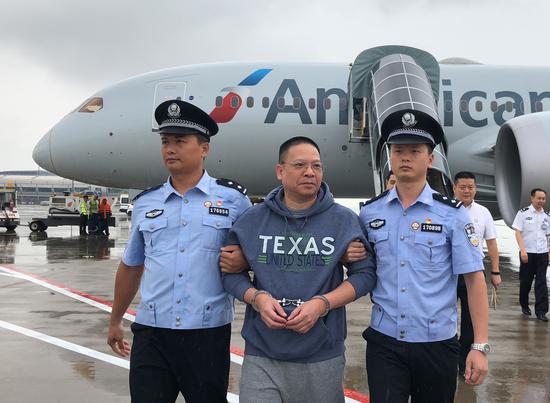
(180, 117)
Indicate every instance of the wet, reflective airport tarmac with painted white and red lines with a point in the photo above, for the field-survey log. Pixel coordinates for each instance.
(54, 294)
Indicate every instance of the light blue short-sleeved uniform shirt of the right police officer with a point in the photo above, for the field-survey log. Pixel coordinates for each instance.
(419, 251)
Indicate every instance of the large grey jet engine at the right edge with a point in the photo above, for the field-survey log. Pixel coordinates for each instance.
(522, 161)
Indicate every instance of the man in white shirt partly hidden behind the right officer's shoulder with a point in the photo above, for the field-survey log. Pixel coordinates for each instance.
(465, 190)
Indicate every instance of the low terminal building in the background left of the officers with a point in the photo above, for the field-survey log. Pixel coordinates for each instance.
(34, 187)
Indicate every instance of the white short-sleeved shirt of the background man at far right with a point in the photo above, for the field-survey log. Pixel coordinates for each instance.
(534, 227)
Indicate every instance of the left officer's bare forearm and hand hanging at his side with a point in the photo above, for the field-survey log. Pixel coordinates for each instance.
(127, 282)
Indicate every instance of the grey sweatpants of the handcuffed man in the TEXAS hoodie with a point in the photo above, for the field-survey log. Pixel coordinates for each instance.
(264, 380)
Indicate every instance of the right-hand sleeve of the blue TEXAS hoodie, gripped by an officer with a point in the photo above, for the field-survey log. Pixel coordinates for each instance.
(361, 274)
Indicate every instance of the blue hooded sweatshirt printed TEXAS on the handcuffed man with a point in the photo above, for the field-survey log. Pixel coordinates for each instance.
(297, 255)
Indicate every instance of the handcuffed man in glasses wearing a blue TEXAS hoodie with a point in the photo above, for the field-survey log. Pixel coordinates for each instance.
(295, 322)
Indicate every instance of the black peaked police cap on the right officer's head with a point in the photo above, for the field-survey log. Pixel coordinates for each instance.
(412, 127)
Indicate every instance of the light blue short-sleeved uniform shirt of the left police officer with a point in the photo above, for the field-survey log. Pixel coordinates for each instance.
(178, 239)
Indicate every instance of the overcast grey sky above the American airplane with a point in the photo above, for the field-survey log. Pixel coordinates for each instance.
(54, 54)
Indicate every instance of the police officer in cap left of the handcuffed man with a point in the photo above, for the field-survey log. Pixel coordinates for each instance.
(182, 328)
